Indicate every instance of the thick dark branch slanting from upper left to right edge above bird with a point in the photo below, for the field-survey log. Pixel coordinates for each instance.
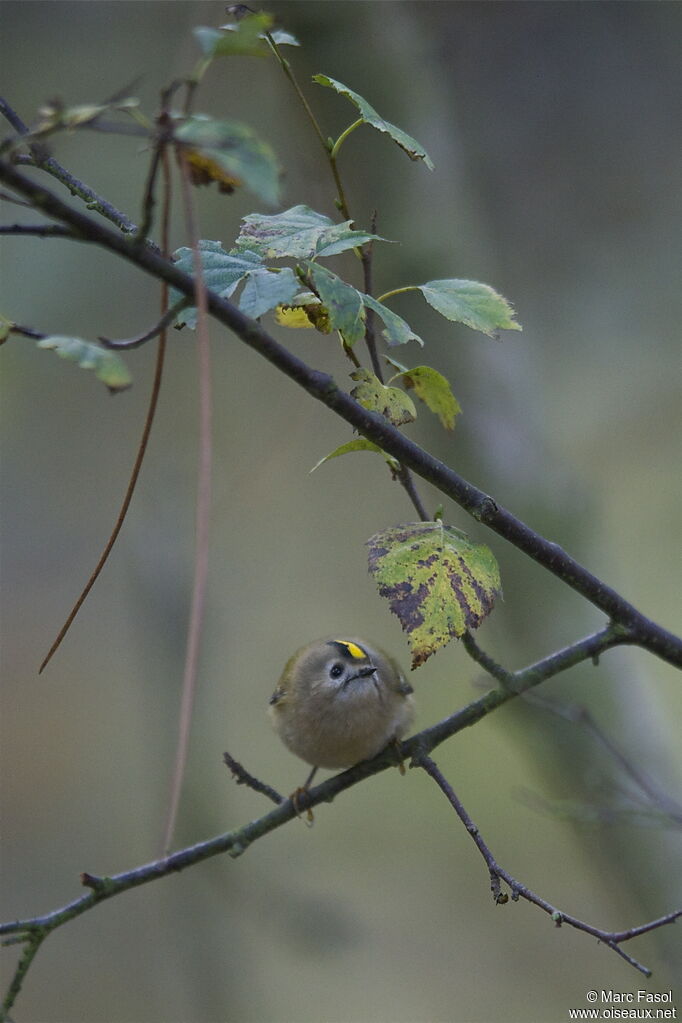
(639, 629)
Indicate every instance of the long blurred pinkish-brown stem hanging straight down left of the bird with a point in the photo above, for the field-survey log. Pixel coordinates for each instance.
(203, 510)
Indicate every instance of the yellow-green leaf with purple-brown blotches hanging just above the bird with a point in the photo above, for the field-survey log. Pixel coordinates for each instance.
(438, 583)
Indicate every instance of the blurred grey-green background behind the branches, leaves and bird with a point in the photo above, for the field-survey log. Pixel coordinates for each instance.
(555, 130)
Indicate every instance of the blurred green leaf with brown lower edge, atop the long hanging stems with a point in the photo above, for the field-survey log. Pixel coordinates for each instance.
(238, 150)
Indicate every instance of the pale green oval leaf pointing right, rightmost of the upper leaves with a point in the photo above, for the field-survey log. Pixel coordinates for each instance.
(470, 302)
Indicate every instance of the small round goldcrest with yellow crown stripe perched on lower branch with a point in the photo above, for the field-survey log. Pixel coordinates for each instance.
(341, 701)
